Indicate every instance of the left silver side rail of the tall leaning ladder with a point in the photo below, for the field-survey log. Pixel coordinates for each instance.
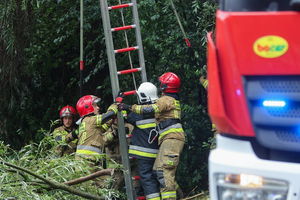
(115, 87)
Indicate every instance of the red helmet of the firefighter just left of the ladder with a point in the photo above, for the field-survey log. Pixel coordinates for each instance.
(84, 105)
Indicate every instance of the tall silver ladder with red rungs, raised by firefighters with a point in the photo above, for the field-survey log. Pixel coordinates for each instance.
(114, 73)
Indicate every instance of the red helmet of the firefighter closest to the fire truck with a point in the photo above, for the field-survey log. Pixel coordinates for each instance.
(169, 82)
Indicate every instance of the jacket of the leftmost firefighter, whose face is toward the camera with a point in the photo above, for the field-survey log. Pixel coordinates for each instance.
(66, 139)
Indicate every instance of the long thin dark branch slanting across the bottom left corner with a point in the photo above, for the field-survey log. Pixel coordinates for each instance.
(54, 184)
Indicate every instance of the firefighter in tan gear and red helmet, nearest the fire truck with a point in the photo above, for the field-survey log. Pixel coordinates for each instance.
(171, 135)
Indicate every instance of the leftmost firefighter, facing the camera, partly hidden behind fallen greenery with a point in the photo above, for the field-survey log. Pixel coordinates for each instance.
(66, 134)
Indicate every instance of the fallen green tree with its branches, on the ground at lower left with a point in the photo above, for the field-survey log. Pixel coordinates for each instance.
(36, 171)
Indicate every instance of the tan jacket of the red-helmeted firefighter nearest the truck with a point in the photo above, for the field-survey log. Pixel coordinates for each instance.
(167, 113)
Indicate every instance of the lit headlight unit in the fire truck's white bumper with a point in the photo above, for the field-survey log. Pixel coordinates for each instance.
(250, 187)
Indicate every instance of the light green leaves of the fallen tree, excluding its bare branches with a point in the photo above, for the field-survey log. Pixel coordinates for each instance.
(41, 159)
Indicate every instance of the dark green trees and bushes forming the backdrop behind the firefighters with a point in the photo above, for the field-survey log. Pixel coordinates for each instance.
(39, 74)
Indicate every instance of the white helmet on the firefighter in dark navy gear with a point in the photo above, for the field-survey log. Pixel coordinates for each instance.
(147, 92)
